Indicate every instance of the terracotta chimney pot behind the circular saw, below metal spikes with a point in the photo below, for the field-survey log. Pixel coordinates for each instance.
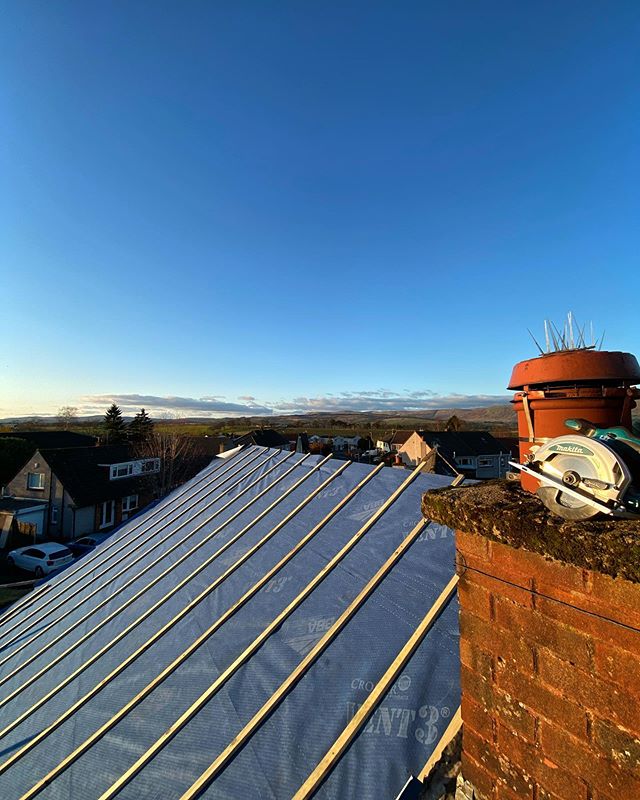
(580, 383)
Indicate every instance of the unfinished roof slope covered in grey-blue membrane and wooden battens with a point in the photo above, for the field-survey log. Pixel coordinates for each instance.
(265, 598)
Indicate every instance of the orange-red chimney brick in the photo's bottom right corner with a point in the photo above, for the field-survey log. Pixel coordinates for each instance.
(597, 772)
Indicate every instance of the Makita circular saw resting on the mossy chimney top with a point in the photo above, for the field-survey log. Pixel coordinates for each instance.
(589, 472)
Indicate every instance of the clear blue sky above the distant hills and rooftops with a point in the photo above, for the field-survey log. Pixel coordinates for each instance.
(291, 201)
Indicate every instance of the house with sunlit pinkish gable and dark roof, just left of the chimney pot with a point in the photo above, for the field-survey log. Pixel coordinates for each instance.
(476, 454)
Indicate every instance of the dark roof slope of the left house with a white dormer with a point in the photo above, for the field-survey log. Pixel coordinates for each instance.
(84, 474)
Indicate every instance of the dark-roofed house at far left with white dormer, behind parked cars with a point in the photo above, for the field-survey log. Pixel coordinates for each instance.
(85, 489)
